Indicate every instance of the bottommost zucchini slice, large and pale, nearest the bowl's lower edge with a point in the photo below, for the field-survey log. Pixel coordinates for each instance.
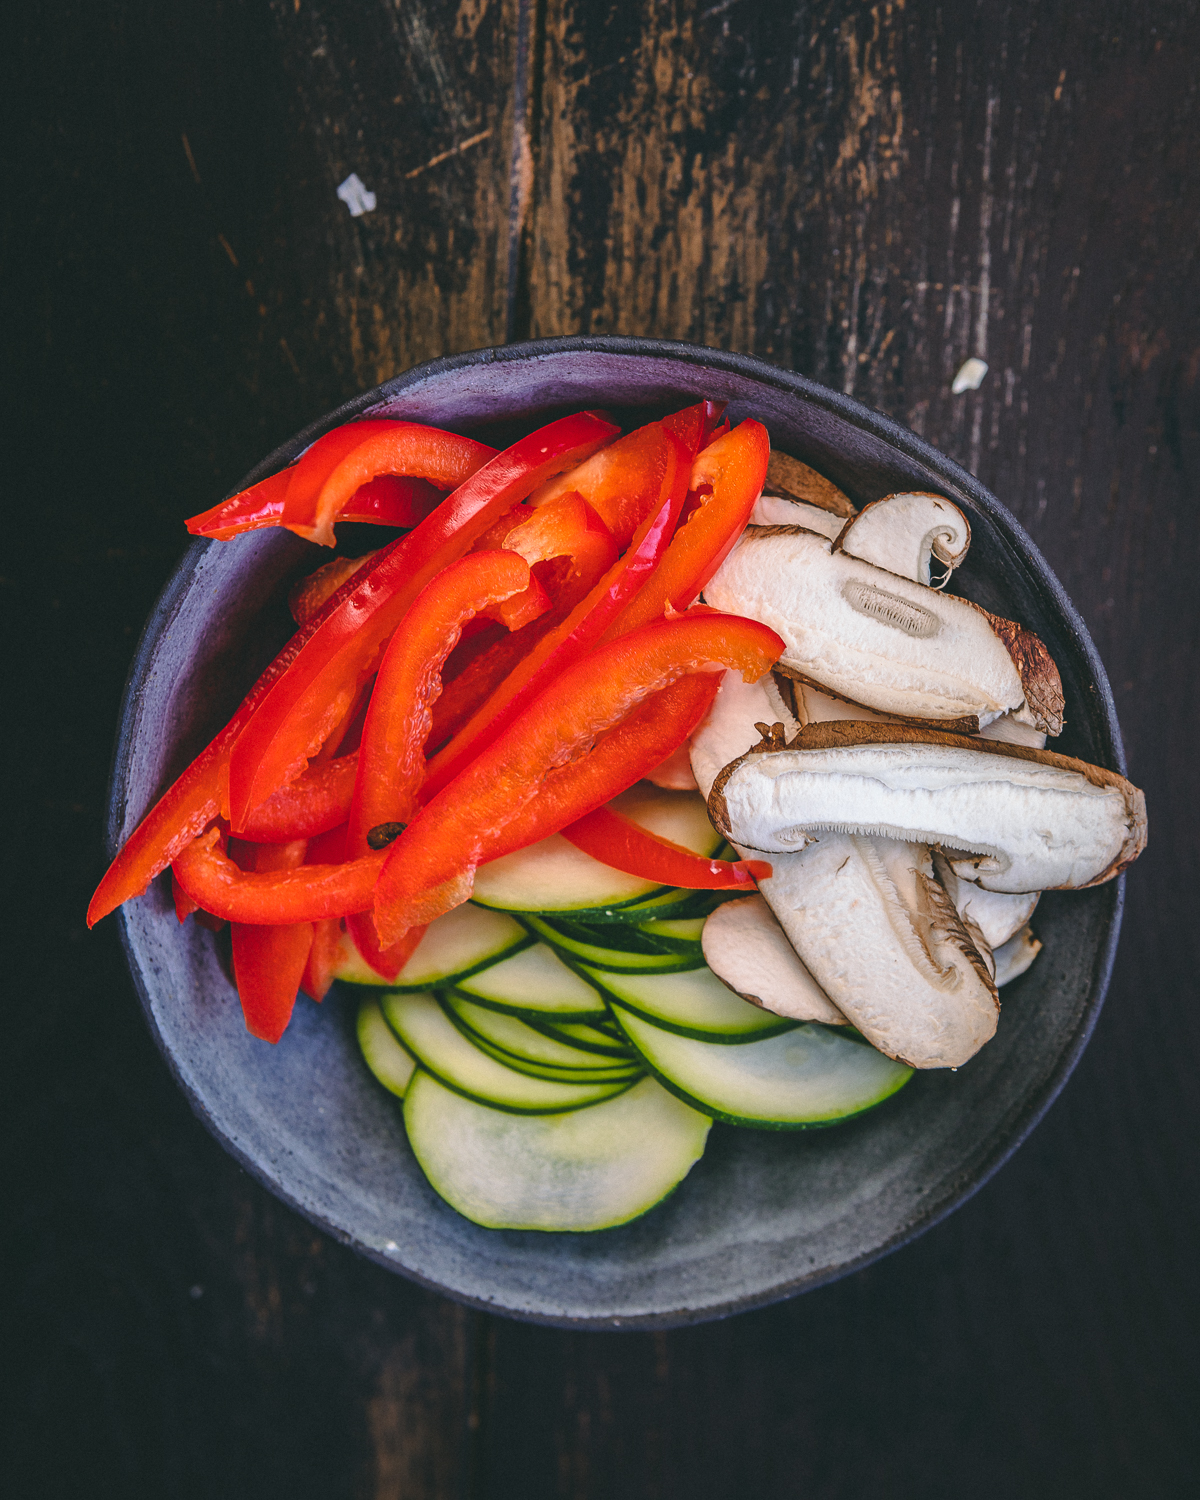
(587, 1171)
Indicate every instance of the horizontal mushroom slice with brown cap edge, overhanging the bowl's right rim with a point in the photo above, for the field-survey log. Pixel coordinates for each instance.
(1006, 817)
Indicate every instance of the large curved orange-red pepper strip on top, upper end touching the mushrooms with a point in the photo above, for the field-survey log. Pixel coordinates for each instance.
(431, 866)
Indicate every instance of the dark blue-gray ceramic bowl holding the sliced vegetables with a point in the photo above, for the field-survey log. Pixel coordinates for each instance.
(764, 1216)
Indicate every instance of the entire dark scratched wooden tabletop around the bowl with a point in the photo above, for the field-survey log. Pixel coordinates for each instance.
(865, 194)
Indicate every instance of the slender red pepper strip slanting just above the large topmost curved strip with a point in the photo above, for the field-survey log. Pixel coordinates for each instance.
(584, 626)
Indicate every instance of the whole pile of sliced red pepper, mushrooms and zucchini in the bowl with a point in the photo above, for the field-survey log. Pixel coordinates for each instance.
(643, 782)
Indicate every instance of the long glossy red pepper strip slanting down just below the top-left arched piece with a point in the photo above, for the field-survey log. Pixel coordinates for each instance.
(296, 716)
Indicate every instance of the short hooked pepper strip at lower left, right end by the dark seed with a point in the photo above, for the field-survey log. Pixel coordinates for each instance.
(274, 898)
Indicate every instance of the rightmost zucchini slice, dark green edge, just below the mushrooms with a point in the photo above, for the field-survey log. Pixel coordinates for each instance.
(811, 1076)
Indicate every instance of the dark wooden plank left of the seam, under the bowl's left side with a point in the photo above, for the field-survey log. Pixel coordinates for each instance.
(184, 290)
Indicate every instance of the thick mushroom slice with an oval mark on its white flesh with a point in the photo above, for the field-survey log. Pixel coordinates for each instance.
(881, 641)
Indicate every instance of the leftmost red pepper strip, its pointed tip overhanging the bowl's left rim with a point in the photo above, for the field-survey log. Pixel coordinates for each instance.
(199, 796)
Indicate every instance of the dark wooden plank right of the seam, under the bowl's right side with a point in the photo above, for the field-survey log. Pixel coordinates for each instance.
(871, 197)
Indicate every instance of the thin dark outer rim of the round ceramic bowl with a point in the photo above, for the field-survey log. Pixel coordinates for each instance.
(857, 415)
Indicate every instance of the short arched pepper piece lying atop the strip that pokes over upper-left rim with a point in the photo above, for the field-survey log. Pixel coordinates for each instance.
(404, 448)
